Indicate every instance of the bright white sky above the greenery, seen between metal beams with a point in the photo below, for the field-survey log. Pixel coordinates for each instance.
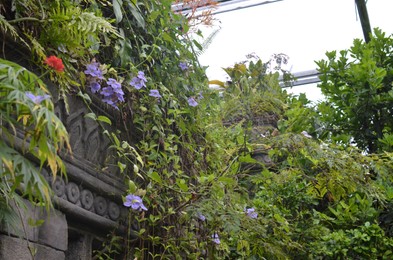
(302, 29)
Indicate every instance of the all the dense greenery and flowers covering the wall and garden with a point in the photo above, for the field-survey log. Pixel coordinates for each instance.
(245, 172)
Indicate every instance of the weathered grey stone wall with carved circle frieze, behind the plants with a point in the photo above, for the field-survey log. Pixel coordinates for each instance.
(88, 203)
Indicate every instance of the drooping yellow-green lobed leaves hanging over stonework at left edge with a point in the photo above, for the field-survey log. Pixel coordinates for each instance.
(27, 129)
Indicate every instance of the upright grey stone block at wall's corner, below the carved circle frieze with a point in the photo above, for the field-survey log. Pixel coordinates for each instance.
(54, 231)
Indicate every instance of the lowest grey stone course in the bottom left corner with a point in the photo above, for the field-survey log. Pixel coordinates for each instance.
(18, 249)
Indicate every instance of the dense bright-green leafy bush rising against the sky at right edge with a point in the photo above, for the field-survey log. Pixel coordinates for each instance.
(358, 86)
